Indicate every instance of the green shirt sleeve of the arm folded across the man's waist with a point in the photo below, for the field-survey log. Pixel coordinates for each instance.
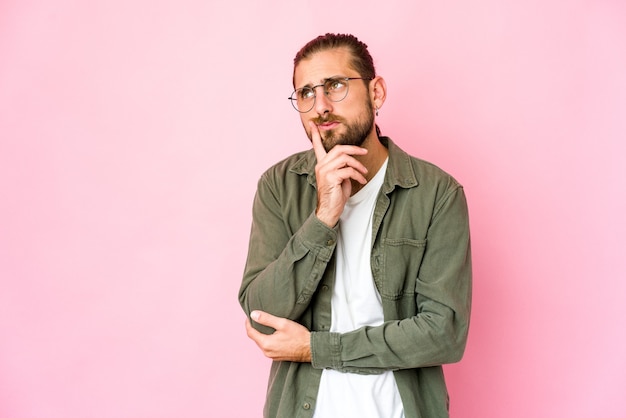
(438, 332)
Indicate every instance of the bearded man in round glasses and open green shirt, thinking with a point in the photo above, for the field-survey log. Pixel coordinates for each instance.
(358, 277)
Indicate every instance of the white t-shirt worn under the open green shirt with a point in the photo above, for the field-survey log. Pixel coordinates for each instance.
(355, 303)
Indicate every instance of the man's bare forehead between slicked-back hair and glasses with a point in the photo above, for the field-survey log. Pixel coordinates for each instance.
(323, 64)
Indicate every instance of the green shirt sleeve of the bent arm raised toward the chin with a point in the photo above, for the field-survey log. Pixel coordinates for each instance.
(284, 267)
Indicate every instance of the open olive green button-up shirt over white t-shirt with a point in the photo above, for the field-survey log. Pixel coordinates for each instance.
(421, 266)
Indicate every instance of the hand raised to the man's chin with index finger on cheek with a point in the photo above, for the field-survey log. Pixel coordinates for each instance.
(334, 172)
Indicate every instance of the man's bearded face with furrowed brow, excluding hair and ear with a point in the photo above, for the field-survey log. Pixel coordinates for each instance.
(347, 122)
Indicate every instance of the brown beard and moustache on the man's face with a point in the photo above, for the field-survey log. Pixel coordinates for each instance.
(354, 133)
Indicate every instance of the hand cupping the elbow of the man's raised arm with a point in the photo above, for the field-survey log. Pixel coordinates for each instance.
(290, 342)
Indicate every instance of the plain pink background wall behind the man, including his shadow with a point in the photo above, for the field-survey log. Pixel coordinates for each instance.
(132, 134)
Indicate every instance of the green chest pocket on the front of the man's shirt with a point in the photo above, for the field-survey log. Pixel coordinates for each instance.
(402, 258)
